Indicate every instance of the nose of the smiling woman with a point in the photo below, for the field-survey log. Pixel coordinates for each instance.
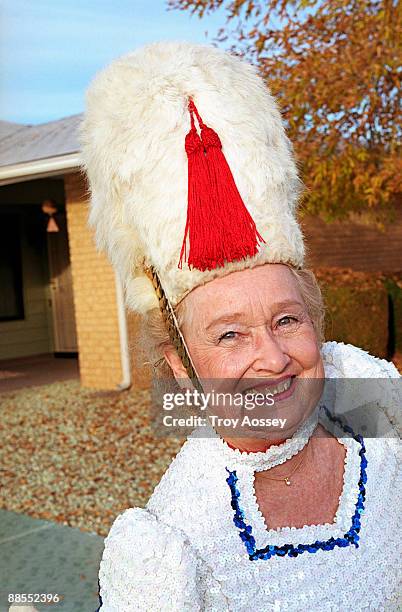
(270, 354)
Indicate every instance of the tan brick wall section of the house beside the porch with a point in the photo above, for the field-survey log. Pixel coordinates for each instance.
(94, 296)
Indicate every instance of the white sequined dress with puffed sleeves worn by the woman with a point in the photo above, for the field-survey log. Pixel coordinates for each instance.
(183, 552)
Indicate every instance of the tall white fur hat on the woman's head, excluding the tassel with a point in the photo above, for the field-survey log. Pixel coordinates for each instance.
(132, 138)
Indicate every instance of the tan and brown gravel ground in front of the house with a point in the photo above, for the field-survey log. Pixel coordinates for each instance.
(77, 457)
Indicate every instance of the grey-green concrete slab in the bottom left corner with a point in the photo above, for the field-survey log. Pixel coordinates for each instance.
(40, 556)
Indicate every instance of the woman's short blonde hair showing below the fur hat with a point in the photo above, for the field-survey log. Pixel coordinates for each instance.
(155, 339)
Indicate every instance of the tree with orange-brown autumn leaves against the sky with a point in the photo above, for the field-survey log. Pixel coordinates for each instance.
(335, 68)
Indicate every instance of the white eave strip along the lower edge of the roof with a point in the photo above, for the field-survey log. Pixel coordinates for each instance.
(39, 168)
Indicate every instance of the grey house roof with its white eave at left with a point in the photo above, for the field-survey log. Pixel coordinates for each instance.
(33, 151)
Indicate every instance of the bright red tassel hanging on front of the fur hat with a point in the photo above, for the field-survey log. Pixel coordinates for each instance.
(224, 230)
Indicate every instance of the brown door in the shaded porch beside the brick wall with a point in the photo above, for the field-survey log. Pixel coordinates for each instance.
(61, 289)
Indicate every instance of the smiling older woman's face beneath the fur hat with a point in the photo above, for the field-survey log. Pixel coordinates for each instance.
(249, 332)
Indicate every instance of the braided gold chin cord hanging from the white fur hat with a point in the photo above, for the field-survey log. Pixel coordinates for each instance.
(172, 327)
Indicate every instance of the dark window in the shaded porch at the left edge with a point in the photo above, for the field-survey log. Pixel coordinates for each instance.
(11, 296)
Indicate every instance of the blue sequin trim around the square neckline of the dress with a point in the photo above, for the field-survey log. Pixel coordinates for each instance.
(349, 538)
